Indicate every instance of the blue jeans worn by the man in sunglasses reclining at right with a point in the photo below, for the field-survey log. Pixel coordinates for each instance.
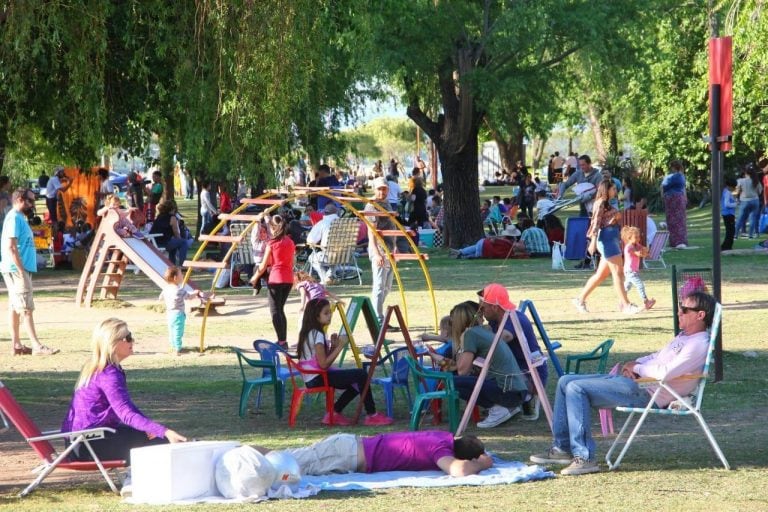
(576, 395)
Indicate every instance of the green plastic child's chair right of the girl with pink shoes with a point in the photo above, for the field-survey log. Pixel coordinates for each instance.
(426, 385)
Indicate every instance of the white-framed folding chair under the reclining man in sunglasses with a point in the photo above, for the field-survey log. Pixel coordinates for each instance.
(682, 406)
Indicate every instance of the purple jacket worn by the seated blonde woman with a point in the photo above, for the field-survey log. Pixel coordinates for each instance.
(105, 402)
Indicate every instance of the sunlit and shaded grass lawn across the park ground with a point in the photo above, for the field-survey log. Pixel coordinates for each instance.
(669, 467)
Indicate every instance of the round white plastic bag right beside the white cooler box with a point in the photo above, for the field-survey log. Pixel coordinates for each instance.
(243, 472)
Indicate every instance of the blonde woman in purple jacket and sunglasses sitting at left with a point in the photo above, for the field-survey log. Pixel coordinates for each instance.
(101, 399)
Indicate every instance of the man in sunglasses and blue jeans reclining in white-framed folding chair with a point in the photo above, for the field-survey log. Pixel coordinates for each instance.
(576, 394)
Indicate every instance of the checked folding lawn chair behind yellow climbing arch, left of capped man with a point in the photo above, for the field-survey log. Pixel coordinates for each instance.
(339, 249)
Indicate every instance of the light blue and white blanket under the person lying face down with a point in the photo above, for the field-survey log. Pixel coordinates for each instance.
(502, 472)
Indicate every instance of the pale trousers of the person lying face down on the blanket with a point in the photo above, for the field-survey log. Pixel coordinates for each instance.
(334, 454)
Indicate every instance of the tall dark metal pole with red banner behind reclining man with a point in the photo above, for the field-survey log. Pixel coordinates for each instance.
(716, 180)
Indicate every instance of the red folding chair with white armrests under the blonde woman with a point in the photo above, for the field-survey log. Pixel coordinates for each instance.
(41, 443)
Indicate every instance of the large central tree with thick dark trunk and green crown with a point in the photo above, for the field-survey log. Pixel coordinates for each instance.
(453, 60)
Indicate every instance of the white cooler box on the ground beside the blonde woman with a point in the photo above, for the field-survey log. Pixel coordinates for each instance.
(170, 472)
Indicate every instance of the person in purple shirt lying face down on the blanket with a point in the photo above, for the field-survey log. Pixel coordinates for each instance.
(393, 451)
